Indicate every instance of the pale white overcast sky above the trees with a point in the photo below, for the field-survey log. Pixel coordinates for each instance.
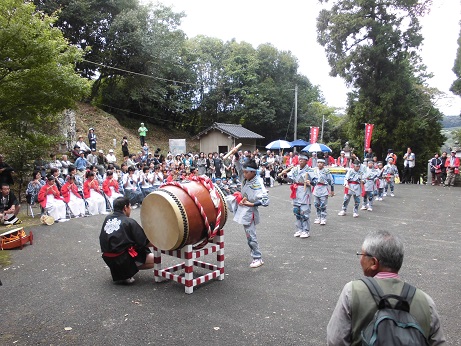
(291, 25)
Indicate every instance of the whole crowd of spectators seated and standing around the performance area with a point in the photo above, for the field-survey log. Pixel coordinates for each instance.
(86, 181)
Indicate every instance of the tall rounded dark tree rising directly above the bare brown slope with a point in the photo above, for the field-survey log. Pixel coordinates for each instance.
(146, 41)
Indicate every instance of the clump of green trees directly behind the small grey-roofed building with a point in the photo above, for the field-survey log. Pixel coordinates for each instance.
(252, 87)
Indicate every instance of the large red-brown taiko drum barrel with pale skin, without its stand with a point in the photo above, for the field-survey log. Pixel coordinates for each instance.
(171, 216)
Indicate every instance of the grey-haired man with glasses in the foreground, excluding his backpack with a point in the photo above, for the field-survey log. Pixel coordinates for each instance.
(381, 257)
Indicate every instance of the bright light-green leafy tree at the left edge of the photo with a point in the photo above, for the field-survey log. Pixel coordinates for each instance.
(37, 82)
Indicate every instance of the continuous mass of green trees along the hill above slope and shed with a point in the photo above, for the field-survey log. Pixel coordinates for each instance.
(178, 82)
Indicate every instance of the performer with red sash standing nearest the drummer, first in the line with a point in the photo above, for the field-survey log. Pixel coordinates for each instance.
(301, 195)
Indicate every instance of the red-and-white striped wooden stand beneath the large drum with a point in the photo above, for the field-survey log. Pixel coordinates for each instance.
(190, 260)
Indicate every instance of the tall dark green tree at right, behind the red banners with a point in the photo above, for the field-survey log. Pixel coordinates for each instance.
(373, 45)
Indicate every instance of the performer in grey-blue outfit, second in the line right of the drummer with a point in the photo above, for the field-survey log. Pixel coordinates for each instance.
(324, 187)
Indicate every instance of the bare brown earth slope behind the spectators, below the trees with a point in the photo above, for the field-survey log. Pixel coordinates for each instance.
(108, 127)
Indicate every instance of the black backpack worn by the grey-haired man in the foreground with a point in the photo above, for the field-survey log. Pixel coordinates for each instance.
(392, 325)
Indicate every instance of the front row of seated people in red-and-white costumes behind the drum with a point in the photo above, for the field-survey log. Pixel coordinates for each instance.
(95, 194)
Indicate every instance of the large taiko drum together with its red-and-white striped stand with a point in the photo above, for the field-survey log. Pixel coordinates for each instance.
(185, 220)
